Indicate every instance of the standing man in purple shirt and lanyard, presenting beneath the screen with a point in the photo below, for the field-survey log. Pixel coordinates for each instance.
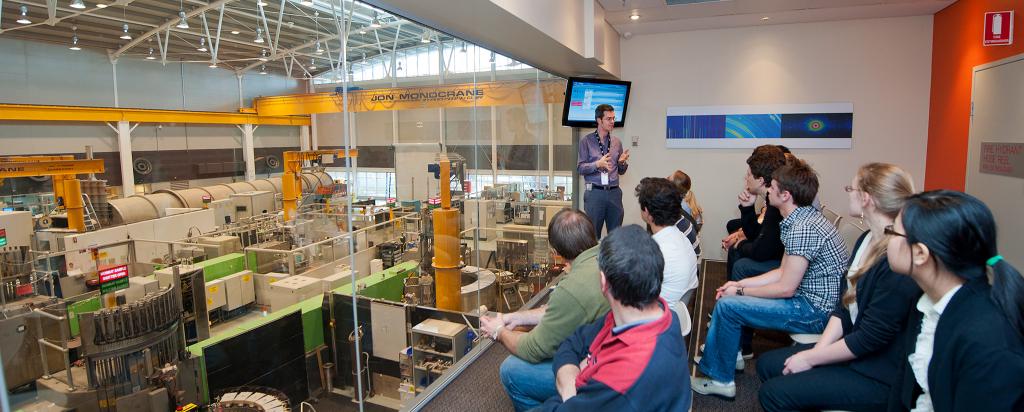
(602, 160)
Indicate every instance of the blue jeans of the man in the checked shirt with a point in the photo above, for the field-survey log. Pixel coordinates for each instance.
(795, 315)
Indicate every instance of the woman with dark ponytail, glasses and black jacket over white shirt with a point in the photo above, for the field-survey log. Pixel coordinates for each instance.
(964, 343)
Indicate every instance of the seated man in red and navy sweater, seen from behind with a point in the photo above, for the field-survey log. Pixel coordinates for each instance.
(634, 358)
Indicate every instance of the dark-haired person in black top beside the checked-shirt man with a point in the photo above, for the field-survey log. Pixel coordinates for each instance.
(756, 248)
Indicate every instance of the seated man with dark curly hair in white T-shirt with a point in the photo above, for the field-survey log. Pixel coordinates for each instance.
(660, 208)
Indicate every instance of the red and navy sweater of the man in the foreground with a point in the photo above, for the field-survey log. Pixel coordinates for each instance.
(643, 368)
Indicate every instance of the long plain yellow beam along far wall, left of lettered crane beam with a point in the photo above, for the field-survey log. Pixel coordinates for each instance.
(78, 114)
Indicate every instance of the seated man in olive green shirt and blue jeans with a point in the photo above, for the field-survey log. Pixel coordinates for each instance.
(576, 302)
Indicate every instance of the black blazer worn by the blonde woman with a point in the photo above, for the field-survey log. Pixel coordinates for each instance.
(884, 301)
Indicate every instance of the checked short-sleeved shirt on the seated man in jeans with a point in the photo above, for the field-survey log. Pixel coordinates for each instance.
(807, 234)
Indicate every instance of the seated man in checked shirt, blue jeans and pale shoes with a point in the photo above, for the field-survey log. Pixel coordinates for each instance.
(797, 298)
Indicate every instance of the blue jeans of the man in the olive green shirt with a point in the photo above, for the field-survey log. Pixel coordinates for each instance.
(528, 385)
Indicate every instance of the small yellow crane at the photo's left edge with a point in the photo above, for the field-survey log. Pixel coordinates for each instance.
(64, 170)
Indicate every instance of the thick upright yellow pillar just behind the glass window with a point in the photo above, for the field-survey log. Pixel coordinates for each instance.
(448, 278)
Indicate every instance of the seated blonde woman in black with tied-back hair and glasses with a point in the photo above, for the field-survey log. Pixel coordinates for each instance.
(858, 353)
